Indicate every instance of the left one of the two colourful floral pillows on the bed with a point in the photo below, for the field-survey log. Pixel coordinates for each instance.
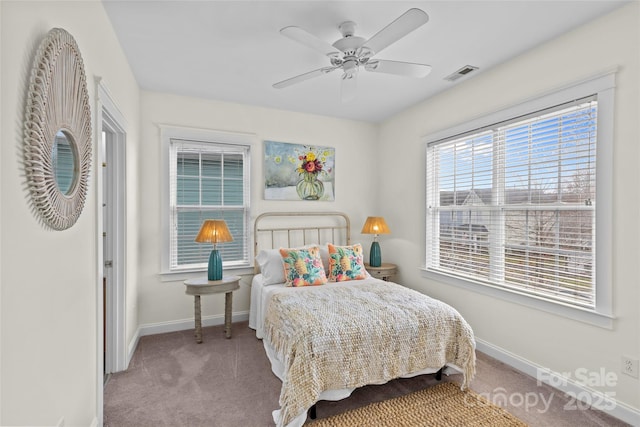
(303, 267)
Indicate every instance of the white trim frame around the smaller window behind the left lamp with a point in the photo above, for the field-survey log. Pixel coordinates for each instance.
(168, 133)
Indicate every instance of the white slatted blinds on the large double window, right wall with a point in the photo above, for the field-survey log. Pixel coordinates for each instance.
(512, 205)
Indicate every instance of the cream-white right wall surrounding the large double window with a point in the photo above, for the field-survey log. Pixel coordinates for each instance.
(558, 343)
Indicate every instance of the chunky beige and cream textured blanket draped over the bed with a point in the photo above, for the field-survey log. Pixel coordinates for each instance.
(336, 337)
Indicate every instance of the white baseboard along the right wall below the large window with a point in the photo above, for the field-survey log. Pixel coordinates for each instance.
(566, 385)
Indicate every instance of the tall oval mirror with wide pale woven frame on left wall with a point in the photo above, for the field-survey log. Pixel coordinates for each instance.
(57, 131)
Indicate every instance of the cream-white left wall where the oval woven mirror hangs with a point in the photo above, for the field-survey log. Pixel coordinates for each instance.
(48, 281)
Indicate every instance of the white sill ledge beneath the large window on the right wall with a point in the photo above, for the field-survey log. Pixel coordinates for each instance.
(591, 317)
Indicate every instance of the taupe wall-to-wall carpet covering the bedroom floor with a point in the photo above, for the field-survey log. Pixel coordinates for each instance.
(174, 382)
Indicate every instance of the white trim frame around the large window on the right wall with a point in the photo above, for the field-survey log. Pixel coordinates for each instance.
(603, 87)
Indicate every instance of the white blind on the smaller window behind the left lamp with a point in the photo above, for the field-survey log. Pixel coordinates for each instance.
(208, 181)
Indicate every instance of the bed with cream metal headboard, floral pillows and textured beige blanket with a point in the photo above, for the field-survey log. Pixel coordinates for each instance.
(325, 341)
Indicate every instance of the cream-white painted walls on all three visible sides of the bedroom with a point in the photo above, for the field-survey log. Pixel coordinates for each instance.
(48, 288)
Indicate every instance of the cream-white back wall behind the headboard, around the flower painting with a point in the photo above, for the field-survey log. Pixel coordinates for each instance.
(162, 300)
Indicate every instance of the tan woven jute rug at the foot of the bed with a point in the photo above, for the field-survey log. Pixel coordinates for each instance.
(443, 405)
